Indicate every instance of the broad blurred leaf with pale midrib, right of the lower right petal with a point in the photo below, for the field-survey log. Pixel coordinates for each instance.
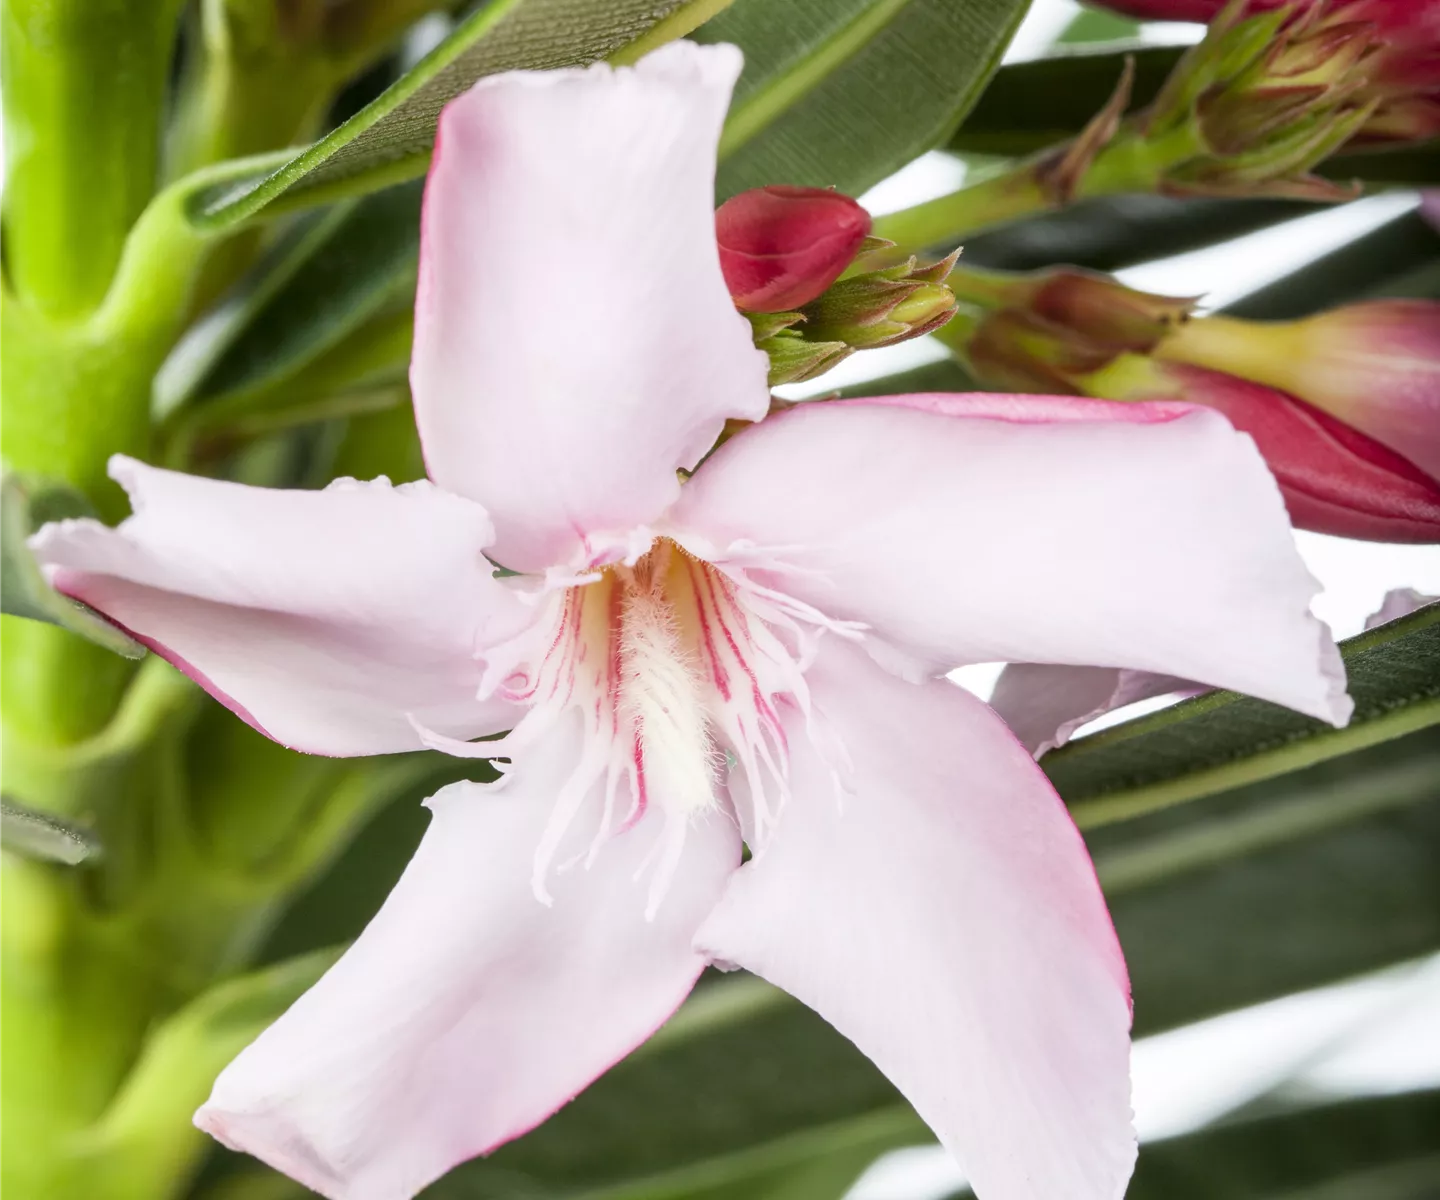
(1279, 887)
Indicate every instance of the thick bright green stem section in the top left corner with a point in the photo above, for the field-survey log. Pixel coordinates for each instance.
(84, 93)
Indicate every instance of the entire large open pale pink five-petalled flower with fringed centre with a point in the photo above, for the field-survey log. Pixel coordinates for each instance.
(754, 653)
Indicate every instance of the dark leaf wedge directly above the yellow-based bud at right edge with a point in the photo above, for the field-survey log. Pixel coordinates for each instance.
(1399, 259)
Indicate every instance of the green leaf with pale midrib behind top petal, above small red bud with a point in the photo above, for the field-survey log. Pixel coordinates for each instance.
(843, 93)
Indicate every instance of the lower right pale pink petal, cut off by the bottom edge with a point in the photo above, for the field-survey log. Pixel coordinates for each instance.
(948, 921)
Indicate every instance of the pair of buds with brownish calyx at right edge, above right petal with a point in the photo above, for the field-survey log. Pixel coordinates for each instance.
(1344, 407)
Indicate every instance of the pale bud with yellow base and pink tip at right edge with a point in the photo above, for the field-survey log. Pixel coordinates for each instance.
(1374, 365)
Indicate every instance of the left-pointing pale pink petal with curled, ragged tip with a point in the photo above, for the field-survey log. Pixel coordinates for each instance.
(323, 619)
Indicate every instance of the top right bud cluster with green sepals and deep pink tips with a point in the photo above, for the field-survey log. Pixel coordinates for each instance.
(1266, 96)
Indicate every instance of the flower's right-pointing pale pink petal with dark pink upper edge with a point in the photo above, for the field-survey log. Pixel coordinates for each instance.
(1154, 541)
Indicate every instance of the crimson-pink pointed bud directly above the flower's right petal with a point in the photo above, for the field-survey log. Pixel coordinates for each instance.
(1333, 478)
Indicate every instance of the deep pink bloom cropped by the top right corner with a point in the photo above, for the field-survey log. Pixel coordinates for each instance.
(1403, 70)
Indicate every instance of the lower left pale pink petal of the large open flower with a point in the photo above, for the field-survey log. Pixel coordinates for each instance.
(469, 1012)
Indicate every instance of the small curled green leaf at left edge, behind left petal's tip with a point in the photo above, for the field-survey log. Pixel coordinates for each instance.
(27, 503)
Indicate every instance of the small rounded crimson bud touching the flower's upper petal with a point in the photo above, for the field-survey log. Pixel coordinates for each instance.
(783, 247)
